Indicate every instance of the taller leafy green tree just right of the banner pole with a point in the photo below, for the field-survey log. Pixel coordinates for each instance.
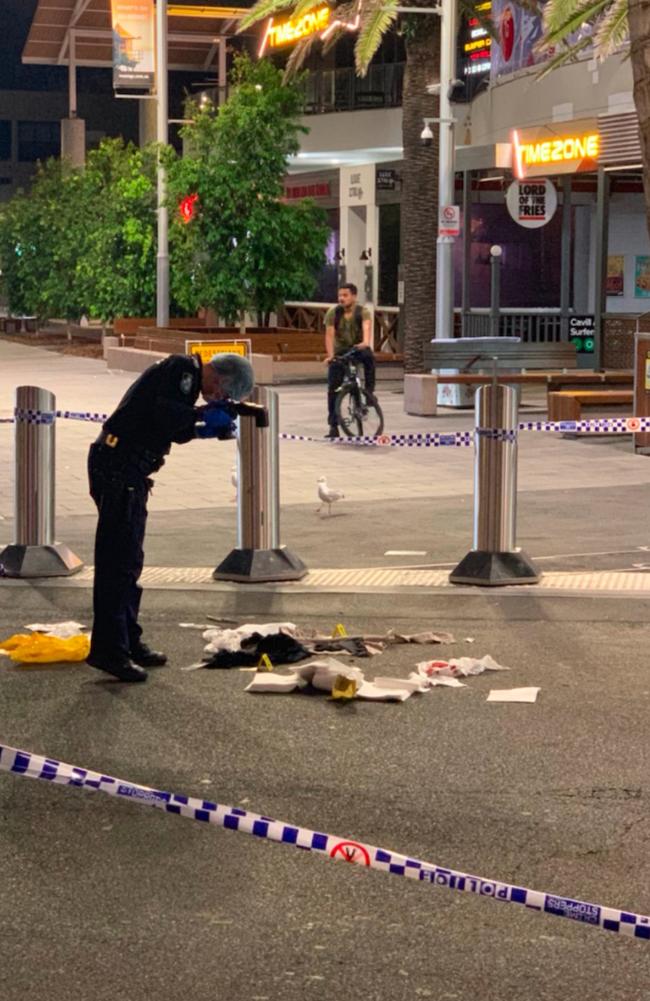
(245, 250)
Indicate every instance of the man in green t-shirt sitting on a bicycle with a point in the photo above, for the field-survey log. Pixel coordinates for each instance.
(348, 326)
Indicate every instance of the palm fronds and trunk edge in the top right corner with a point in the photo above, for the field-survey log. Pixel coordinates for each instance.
(573, 26)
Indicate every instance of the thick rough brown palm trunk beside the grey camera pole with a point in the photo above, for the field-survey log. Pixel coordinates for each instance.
(420, 191)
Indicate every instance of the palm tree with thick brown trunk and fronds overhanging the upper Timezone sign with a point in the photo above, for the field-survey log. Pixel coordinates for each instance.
(420, 175)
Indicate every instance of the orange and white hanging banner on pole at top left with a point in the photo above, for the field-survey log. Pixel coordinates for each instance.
(134, 42)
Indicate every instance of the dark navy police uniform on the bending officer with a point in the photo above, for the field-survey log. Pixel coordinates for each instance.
(156, 412)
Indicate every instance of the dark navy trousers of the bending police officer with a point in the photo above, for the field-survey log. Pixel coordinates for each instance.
(121, 495)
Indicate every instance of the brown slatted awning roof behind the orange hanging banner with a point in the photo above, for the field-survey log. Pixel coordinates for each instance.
(195, 33)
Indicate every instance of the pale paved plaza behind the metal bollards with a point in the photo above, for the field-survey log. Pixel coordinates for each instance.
(199, 476)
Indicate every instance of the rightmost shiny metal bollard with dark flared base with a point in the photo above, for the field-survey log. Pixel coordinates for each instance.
(495, 559)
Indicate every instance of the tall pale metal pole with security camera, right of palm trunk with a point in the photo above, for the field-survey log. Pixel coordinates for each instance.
(445, 249)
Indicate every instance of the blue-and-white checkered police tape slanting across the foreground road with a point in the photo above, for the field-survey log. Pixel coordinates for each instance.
(18, 762)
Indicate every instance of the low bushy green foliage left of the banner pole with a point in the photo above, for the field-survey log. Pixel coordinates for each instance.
(84, 241)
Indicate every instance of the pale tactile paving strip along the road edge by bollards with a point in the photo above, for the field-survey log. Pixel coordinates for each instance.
(390, 578)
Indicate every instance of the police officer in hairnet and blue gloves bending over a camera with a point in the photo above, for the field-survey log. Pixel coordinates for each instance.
(156, 412)
